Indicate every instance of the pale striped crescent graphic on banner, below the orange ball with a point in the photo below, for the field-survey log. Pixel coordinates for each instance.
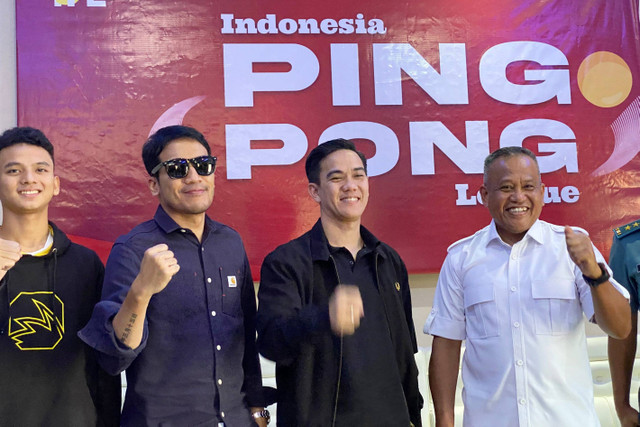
(626, 129)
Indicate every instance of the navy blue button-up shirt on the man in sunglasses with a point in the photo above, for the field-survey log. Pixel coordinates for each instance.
(197, 363)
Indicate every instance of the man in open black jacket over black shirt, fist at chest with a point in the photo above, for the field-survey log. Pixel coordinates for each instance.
(335, 310)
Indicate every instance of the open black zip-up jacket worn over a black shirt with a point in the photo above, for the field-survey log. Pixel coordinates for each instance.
(293, 325)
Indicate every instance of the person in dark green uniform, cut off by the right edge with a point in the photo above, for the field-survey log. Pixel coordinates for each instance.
(624, 260)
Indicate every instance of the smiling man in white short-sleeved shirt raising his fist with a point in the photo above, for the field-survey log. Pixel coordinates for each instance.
(516, 292)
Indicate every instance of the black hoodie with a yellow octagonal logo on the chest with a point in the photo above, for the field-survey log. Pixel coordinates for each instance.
(49, 377)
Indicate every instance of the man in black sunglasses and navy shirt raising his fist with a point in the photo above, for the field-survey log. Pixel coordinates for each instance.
(178, 309)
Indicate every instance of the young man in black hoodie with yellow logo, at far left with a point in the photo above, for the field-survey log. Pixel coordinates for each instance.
(48, 287)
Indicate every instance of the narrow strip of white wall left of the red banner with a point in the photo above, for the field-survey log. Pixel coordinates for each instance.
(8, 80)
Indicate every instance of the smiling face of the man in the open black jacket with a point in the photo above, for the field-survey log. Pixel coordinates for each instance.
(343, 191)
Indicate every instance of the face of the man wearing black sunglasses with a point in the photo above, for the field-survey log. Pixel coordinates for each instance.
(190, 196)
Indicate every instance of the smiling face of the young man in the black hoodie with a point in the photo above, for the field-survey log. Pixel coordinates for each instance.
(27, 182)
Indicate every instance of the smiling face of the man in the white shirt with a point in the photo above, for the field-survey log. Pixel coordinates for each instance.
(514, 195)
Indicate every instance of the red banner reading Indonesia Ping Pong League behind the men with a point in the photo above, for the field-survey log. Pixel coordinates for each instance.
(427, 90)
